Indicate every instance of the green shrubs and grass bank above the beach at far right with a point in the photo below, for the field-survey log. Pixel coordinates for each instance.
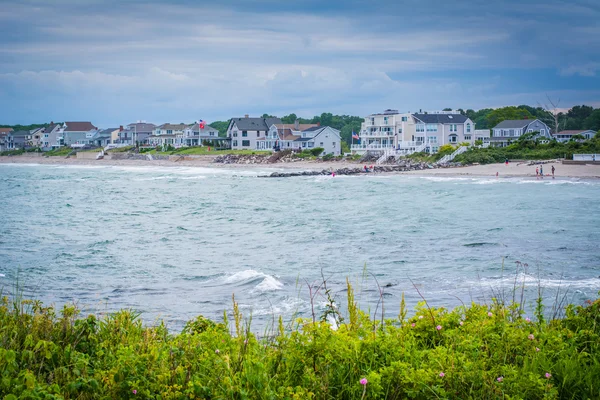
(526, 148)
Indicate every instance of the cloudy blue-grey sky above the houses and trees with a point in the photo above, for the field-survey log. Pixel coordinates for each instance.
(116, 62)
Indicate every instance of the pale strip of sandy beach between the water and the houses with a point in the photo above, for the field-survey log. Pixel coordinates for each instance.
(513, 169)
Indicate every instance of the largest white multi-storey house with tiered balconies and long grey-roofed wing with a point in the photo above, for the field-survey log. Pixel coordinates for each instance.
(405, 133)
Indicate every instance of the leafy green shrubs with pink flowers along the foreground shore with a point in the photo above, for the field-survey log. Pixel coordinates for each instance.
(478, 352)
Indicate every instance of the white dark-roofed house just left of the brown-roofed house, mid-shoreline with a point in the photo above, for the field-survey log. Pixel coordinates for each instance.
(246, 132)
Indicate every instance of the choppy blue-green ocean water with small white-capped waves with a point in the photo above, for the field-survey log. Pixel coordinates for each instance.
(176, 242)
